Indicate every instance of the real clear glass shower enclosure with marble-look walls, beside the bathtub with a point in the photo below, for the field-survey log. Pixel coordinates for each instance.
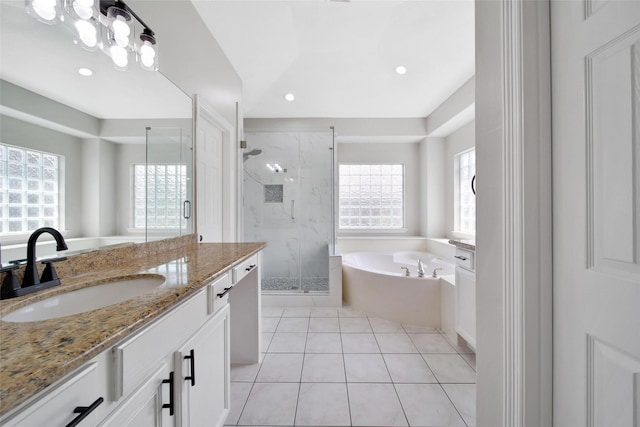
(288, 203)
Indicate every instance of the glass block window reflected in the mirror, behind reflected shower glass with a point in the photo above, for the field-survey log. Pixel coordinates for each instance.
(158, 192)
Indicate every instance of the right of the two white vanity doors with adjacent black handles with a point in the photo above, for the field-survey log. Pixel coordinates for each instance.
(202, 372)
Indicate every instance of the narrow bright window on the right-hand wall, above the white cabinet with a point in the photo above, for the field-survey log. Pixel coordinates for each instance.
(466, 200)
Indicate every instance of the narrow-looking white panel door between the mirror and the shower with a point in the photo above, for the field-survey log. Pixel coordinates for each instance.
(209, 149)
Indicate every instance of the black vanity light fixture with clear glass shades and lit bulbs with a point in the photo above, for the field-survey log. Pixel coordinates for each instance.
(108, 25)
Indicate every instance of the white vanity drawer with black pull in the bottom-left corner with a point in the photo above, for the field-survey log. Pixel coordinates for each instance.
(57, 407)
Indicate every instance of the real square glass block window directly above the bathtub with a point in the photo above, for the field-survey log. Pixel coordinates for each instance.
(371, 196)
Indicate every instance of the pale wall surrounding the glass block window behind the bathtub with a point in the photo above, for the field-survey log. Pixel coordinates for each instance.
(407, 154)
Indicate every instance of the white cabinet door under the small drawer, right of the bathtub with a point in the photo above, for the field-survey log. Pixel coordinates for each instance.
(466, 305)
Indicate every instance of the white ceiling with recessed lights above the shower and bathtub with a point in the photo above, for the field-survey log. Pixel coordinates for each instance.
(339, 58)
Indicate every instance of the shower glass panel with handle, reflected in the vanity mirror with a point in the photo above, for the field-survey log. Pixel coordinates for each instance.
(167, 202)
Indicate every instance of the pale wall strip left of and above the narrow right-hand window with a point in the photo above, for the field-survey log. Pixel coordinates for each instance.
(461, 140)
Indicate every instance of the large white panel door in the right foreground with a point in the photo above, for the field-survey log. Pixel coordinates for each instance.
(596, 184)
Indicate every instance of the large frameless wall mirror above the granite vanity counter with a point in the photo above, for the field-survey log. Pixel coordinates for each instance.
(119, 142)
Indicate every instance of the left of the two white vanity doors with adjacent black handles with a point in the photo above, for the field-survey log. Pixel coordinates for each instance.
(144, 408)
